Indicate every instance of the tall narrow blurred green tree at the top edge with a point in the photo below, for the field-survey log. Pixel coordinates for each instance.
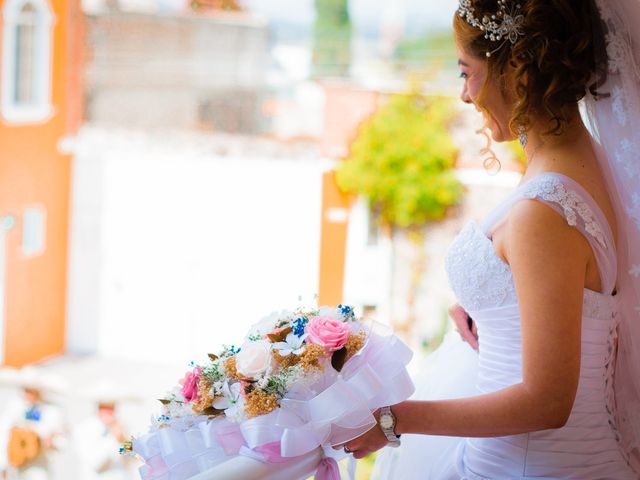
(332, 39)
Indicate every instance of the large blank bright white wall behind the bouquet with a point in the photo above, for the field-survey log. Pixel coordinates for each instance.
(189, 247)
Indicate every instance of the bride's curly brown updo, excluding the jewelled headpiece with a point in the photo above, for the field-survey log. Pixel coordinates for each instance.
(559, 57)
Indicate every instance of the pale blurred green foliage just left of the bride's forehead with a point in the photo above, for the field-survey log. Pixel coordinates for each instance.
(434, 48)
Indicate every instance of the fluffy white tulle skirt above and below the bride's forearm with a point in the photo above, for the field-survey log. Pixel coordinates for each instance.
(449, 372)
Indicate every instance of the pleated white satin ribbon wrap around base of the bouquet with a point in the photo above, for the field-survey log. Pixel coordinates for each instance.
(333, 411)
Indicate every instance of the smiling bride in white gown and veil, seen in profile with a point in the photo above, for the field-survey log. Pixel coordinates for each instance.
(548, 284)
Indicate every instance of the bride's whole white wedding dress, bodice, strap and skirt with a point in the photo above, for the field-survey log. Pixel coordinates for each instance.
(587, 447)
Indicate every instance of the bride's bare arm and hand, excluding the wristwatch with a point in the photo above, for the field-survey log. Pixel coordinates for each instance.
(548, 260)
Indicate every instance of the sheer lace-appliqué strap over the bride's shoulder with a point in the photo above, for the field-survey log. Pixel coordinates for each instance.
(569, 199)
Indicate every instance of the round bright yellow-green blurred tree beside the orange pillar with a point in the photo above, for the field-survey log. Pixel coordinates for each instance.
(402, 161)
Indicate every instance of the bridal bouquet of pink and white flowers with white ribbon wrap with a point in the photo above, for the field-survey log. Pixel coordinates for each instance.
(300, 380)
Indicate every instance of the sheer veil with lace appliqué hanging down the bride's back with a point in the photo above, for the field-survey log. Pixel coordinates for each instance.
(613, 116)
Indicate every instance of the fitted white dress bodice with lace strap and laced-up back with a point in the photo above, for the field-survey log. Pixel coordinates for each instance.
(484, 285)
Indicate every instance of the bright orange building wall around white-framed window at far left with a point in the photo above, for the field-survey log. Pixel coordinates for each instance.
(34, 172)
